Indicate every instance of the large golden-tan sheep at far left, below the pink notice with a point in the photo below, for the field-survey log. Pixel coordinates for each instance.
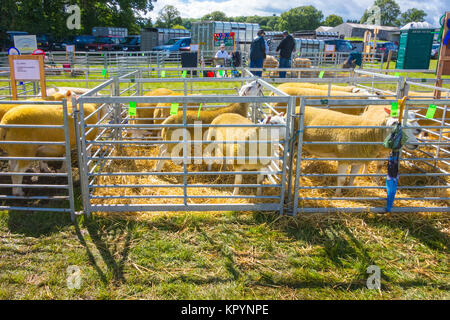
(42, 115)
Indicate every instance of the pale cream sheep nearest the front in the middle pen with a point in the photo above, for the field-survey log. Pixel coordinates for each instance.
(230, 149)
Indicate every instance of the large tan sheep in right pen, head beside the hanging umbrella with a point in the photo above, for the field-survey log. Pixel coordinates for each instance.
(322, 117)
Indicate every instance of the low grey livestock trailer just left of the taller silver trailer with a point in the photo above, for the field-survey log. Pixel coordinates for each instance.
(152, 37)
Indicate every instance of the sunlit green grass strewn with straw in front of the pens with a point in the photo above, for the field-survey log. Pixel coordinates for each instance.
(224, 256)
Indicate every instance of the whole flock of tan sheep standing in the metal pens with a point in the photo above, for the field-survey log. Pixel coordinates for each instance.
(376, 116)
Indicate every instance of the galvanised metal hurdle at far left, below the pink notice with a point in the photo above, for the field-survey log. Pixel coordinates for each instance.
(52, 192)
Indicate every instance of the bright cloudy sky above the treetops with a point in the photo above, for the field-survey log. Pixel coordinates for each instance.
(348, 9)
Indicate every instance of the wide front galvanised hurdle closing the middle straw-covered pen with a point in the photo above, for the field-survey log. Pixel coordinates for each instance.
(95, 167)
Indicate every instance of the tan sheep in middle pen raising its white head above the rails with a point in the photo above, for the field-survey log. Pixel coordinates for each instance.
(206, 117)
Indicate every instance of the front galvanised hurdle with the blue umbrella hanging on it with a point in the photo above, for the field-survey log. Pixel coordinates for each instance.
(299, 202)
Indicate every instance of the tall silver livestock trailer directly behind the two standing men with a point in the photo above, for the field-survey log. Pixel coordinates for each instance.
(203, 34)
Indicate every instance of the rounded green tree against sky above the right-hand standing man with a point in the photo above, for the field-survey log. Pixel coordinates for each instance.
(300, 18)
